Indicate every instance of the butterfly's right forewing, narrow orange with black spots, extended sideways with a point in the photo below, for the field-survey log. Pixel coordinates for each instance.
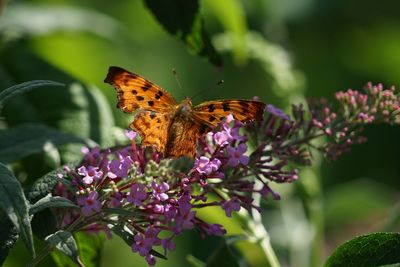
(213, 112)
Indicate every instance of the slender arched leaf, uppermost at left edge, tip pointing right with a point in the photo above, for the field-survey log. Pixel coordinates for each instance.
(24, 87)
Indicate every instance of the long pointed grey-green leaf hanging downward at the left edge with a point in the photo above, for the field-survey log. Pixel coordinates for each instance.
(14, 203)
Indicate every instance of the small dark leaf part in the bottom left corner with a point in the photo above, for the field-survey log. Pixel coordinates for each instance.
(9, 235)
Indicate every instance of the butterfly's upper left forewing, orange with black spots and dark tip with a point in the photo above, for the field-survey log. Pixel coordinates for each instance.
(135, 92)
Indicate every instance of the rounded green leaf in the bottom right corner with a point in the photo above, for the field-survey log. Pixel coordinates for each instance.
(368, 250)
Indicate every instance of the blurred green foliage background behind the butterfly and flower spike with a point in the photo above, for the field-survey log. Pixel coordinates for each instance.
(279, 50)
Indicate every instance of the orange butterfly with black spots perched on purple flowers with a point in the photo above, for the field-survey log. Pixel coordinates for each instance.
(173, 128)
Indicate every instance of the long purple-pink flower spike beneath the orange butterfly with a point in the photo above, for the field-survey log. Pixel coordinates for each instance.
(133, 191)
